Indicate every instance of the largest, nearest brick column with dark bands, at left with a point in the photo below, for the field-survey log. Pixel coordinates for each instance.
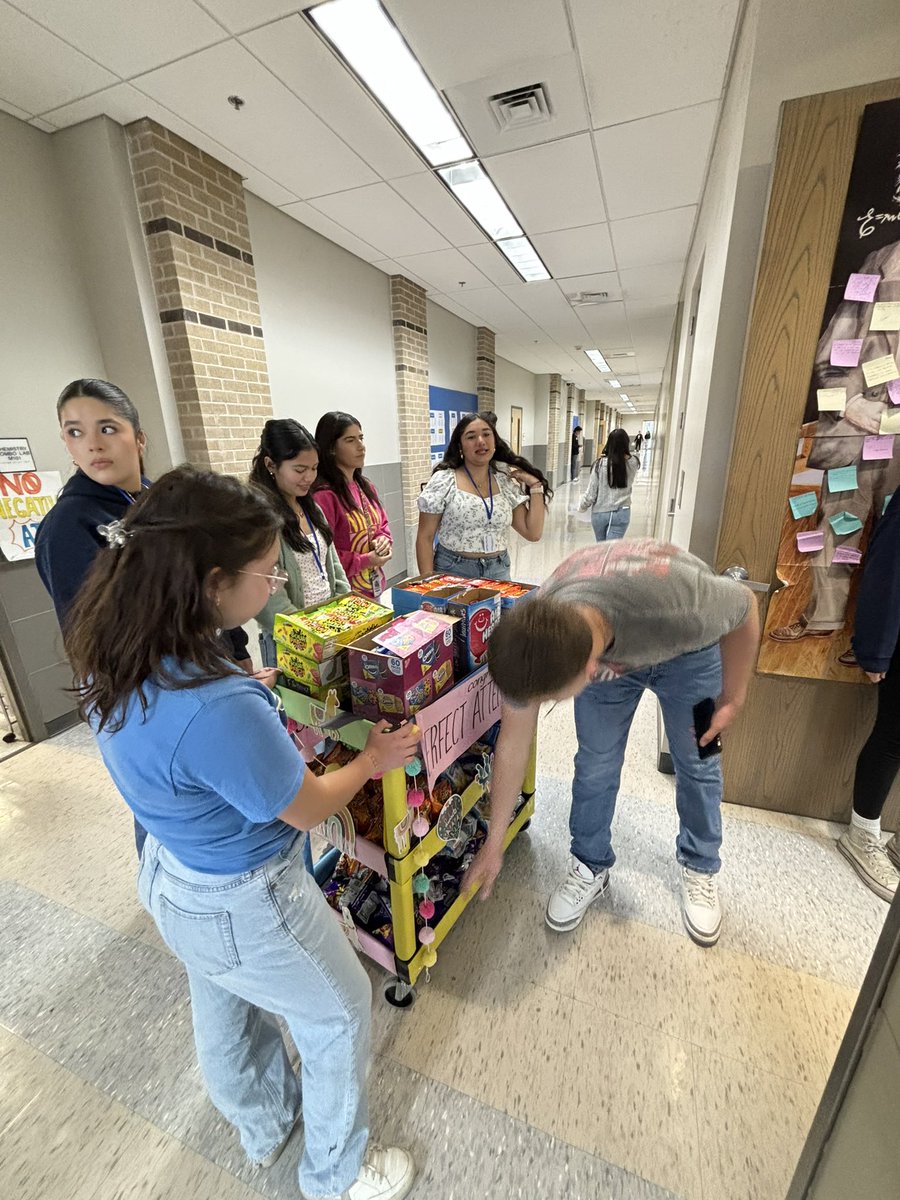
(195, 221)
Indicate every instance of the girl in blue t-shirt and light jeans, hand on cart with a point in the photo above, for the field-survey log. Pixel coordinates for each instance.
(197, 749)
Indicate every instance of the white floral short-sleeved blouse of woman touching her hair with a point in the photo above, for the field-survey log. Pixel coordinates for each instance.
(465, 518)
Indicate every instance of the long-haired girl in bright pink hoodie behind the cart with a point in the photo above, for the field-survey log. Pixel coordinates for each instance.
(351, 503)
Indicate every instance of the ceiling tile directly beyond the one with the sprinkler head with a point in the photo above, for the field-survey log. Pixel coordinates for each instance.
(380, 217)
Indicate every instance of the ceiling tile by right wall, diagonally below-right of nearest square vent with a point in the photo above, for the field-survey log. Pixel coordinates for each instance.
(656, 164)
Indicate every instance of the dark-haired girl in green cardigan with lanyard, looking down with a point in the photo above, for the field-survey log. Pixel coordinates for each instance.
(285, 469)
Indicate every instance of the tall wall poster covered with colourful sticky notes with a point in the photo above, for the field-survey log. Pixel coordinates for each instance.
(848, 463)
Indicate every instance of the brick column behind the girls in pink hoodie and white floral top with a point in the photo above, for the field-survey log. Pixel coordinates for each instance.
(411, 364)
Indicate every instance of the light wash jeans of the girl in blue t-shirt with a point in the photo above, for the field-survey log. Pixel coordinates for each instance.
(259, 944)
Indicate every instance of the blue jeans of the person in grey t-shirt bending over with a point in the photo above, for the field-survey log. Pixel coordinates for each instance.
(603, 719)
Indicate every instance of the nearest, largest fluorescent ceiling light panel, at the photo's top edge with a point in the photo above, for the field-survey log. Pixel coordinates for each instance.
(371, 45)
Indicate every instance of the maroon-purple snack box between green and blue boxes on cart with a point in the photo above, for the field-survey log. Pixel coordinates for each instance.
(388, 683)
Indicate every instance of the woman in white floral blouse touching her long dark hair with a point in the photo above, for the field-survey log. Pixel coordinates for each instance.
(471, 505)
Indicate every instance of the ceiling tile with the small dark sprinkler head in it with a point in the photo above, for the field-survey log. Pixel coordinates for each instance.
(275, 133)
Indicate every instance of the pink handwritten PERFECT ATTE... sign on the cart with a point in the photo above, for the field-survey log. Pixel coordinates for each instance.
(452, 724)
